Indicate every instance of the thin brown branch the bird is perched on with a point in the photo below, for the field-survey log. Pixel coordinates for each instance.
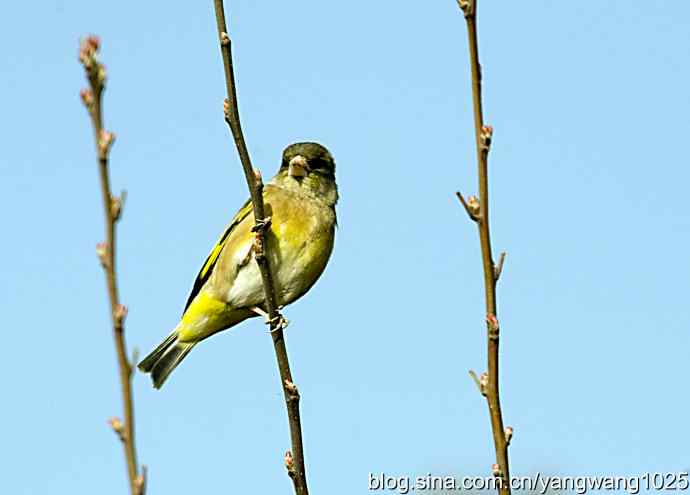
(294, 459)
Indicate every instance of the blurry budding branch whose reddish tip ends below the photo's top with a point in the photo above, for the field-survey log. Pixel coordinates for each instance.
(112, 205)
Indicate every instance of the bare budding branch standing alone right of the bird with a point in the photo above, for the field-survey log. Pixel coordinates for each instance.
(478, 210)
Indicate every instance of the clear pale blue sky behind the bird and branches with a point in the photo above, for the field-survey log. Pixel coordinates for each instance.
(589, 178)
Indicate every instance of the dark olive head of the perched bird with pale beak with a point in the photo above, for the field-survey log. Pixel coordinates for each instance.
(309, 167)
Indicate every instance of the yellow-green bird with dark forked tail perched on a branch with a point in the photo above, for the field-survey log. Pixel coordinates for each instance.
(300, 201)
